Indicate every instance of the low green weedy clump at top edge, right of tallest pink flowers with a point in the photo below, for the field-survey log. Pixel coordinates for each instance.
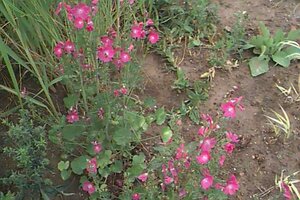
(188, 20)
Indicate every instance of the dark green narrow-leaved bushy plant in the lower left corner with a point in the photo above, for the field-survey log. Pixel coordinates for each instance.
(27, 148)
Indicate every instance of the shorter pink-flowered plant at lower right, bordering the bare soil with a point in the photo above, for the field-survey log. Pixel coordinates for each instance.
(193, 170)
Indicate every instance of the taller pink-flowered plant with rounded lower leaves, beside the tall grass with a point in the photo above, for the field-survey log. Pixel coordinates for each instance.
(97, 65)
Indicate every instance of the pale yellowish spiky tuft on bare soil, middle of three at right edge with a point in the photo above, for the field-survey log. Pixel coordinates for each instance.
(280, 123)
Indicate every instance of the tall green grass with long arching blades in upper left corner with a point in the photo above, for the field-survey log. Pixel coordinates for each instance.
(27, 34)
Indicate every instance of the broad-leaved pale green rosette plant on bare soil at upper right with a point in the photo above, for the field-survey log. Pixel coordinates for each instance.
(272, 47)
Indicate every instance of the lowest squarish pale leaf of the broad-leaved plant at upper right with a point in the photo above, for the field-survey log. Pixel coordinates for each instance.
(259, 65)
